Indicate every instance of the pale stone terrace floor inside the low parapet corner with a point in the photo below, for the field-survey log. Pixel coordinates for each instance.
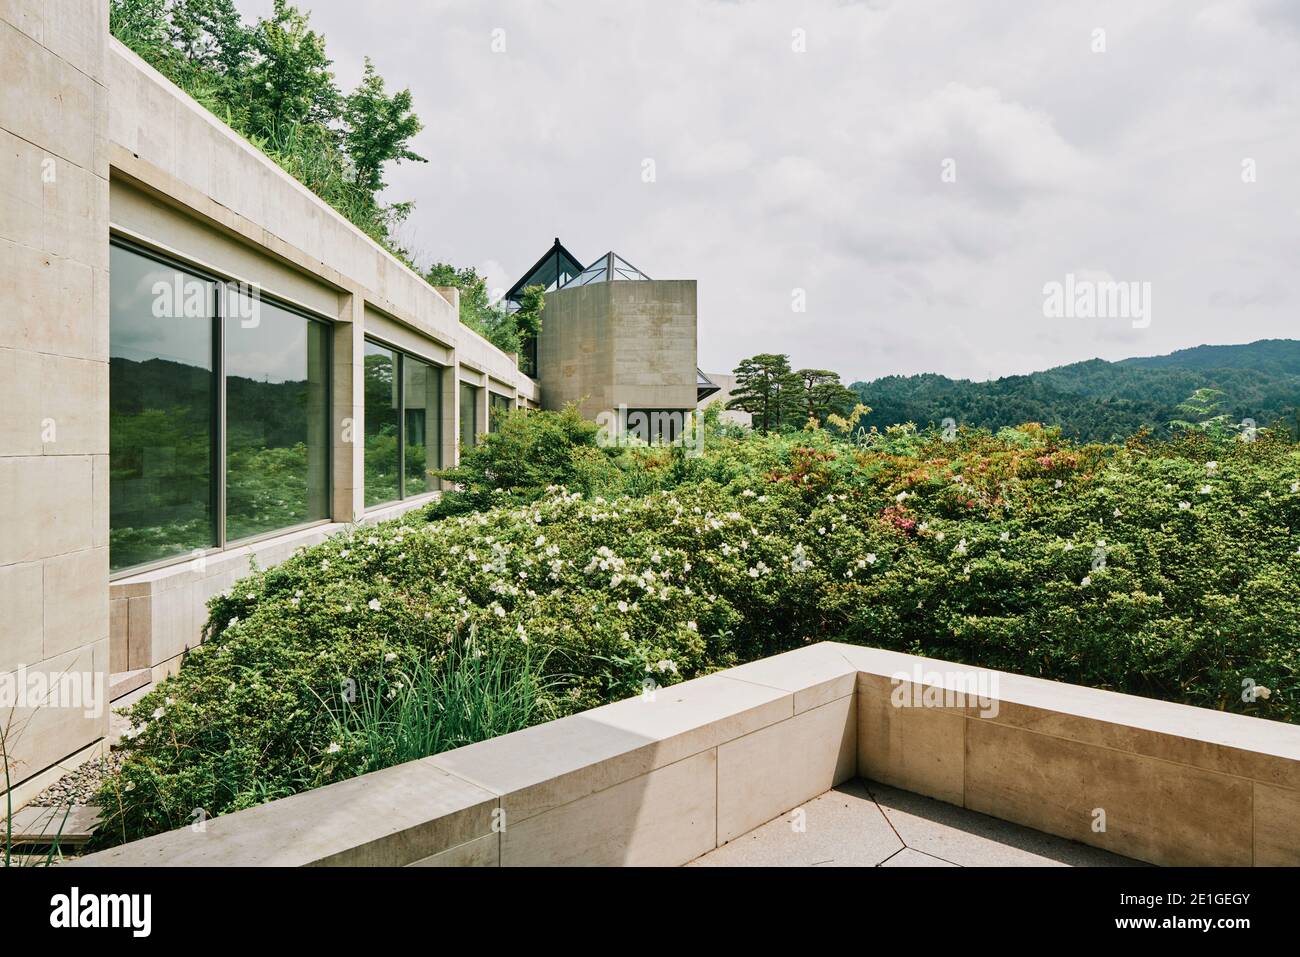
(868, 825)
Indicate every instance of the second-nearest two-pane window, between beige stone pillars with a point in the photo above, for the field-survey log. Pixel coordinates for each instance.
(404, 425)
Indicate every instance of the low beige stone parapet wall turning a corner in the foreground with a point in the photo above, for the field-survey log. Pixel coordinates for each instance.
(664, 778)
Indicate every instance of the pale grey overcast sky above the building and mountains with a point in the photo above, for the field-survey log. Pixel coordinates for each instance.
(804, 146)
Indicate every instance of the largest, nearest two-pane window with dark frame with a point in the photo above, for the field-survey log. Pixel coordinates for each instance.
(194, 360)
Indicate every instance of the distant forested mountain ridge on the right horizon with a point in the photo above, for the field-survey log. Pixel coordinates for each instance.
(1104, 401)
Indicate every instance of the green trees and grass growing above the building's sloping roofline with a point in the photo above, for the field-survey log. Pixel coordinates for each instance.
(271, 81)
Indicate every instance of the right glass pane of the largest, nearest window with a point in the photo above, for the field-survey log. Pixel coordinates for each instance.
(278, 418)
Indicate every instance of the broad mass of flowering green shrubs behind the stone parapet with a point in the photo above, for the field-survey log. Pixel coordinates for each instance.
(1160, 569)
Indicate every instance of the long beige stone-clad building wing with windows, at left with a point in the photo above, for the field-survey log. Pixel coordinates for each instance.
(119, 517)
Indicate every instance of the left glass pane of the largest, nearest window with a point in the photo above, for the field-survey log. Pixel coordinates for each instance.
(162, 399)
